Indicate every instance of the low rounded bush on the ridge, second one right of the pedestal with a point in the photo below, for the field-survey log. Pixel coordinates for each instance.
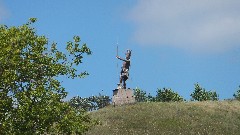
(167, 95)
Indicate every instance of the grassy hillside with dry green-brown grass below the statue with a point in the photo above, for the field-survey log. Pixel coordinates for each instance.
(221, 117)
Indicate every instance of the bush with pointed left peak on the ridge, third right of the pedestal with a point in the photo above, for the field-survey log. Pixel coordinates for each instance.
(200, 94)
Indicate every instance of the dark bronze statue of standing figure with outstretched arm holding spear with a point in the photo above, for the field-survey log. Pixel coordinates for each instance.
(124, 74)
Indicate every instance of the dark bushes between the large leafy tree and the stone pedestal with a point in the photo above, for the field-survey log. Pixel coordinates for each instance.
(90, 103)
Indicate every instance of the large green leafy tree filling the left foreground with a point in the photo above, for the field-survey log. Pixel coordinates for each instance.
(31, 97)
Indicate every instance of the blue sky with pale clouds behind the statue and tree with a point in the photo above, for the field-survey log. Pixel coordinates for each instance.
(174, 44)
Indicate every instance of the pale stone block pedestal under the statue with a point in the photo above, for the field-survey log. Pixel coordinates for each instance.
(123, 96)
